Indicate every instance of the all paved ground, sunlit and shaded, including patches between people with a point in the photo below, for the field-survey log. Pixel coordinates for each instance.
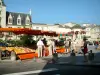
(42, 67)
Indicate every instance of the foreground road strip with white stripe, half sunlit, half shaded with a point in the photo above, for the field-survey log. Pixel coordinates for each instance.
(30, 67)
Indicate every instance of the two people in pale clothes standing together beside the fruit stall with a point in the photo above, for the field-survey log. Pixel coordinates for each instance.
(41, 44)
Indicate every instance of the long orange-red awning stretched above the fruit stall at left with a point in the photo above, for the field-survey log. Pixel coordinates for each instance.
(27, 31)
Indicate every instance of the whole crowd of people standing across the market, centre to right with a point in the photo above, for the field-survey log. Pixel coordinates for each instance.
(70, 45)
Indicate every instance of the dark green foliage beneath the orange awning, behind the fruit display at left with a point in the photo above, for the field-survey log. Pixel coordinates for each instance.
(25, 40)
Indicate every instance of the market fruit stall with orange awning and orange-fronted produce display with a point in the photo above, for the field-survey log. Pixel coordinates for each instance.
(24, 52)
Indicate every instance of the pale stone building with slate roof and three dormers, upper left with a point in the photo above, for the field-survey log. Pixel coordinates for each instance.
(13, 19)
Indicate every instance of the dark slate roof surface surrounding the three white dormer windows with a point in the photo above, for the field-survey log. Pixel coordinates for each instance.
(15, 16)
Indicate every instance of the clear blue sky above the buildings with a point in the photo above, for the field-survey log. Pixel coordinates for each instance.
(58, 11)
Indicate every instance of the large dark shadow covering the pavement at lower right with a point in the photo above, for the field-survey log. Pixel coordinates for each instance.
(70, 68)
